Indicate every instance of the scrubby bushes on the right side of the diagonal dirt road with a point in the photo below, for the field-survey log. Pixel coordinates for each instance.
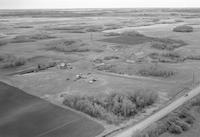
(175, 123)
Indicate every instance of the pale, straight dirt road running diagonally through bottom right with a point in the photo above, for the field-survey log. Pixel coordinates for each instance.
(160, 114)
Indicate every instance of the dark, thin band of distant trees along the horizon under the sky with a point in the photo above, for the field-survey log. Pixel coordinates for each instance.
(94, 12)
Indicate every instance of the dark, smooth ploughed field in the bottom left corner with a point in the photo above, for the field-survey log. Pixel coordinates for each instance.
(23, 115)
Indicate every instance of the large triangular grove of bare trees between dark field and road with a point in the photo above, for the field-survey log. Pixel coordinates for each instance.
(114, 107)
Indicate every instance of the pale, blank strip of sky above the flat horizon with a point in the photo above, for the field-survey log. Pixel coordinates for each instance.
(62, 4)
